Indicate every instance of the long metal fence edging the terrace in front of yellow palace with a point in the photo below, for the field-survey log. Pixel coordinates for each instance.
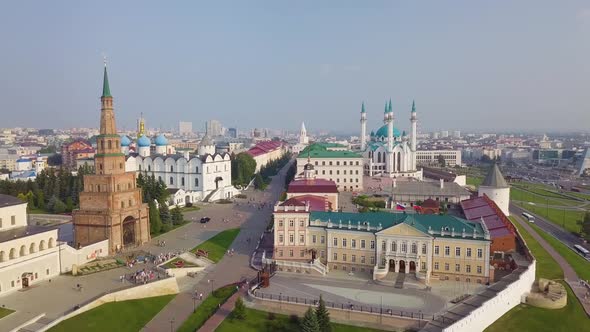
(381, 310)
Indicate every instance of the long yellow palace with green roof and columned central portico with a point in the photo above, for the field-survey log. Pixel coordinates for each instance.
(430, 247)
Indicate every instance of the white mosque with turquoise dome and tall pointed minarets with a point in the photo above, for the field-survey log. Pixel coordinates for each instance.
(390, 153)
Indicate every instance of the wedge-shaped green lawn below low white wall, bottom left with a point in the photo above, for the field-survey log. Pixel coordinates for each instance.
(124, 316)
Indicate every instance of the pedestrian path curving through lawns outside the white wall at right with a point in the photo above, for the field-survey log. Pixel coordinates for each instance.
(569, 274)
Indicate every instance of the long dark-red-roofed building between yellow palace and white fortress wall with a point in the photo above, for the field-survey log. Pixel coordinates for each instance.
(502, 231)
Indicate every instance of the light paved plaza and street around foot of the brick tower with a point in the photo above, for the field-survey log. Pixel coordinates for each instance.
(60, 295)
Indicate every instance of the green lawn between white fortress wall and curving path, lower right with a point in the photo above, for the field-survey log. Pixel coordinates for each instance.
(528, 318)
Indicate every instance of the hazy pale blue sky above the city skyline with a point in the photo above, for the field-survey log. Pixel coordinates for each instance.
(488, 65)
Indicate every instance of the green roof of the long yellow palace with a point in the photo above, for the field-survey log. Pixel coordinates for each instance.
(422, 222)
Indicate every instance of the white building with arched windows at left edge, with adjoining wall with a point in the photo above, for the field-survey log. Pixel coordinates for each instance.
(29, 254)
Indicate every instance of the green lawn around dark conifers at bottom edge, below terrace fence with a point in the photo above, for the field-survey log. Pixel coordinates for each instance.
(257, 321)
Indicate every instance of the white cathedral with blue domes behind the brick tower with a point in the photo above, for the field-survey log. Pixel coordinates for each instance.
(202, 176)
